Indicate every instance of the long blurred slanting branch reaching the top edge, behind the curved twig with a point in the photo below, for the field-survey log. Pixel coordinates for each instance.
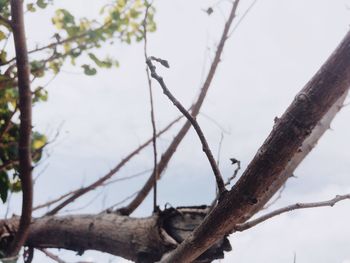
(183, 131)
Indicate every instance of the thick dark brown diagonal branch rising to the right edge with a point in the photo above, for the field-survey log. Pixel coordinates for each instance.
(258, 183)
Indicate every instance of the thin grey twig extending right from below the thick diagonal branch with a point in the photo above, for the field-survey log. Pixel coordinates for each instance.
(254, 222)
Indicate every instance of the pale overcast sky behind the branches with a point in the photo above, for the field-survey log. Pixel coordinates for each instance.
(273, 53)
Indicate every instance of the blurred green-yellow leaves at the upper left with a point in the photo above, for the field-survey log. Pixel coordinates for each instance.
(74, 38)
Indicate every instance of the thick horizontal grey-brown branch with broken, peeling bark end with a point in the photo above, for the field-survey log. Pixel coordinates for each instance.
(142, 240)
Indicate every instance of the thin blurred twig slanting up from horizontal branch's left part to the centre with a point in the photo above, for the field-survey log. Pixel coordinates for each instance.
(103, 179)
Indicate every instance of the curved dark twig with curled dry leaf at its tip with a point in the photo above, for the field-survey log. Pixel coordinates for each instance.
(205, 146)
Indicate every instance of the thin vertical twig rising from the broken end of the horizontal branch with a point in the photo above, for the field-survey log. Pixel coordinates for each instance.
(154, 129)
